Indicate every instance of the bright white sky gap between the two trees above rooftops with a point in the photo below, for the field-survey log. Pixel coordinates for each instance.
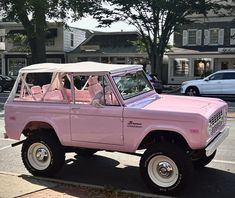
(91, 24)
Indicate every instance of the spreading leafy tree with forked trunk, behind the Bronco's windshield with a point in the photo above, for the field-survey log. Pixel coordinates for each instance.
(155, 20)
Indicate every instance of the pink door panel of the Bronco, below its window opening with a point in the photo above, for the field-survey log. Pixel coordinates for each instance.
(97, 125)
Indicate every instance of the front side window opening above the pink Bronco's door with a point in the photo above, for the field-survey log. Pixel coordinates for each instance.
(93, 90)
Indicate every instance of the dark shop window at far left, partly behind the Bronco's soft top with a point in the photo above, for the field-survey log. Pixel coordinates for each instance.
(15, 64)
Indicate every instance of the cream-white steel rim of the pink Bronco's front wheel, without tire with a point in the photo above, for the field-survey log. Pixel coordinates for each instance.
(163, 171)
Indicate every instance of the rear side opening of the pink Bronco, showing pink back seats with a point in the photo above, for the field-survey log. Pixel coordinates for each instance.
(43, 87)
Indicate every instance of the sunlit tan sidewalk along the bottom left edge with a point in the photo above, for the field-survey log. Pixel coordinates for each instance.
(25, 186)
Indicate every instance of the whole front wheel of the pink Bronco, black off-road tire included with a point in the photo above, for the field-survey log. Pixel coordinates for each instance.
(165, 168)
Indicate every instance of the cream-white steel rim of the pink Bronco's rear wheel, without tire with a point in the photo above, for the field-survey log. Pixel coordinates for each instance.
(39, 156)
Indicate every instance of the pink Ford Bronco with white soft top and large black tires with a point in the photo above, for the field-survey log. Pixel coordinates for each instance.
(86, 107)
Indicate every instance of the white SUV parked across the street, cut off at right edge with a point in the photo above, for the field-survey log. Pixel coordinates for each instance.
(218, 83)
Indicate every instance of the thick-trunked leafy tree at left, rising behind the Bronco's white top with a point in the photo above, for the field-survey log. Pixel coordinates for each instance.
(34, 14)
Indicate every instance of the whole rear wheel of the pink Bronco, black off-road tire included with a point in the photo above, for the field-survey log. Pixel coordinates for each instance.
(42, 154)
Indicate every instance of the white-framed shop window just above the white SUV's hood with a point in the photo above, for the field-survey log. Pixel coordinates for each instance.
(181, 67)
